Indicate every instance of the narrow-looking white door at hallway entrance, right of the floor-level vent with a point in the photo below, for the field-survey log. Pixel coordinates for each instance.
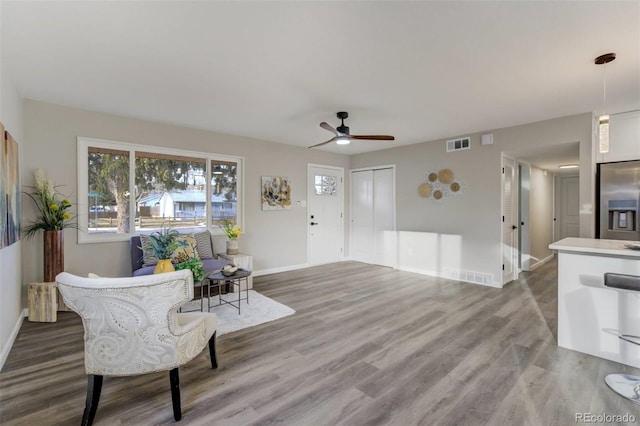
(509, 248)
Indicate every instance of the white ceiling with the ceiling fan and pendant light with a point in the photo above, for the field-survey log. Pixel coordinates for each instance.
(273, 70)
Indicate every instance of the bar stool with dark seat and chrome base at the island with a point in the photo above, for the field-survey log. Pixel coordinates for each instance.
(625, 385)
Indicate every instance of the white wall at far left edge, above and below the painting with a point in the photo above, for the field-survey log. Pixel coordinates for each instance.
(10, 257)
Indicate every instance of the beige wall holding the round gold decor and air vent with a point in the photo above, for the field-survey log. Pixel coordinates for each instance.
(474, 217)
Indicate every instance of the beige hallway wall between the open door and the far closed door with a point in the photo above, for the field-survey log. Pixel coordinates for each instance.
(541, 215)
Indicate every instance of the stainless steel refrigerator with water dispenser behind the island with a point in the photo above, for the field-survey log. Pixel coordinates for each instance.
(618, 195)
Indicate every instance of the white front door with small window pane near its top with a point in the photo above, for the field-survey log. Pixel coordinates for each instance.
(324, 214)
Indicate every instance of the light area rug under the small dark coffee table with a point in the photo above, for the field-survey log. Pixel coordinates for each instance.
(259, 310)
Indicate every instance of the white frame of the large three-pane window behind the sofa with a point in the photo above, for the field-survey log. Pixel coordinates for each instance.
(84, 237)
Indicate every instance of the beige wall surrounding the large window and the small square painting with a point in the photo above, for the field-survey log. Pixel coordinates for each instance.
(276, 239)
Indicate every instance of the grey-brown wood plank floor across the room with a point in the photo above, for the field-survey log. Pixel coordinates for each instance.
(368, 345)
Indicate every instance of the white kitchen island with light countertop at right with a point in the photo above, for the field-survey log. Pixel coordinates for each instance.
(590, 315)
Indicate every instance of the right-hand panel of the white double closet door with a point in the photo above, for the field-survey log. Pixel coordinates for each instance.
(384, 222)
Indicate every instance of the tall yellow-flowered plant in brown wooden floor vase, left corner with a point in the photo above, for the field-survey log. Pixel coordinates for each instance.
(52, 218)
